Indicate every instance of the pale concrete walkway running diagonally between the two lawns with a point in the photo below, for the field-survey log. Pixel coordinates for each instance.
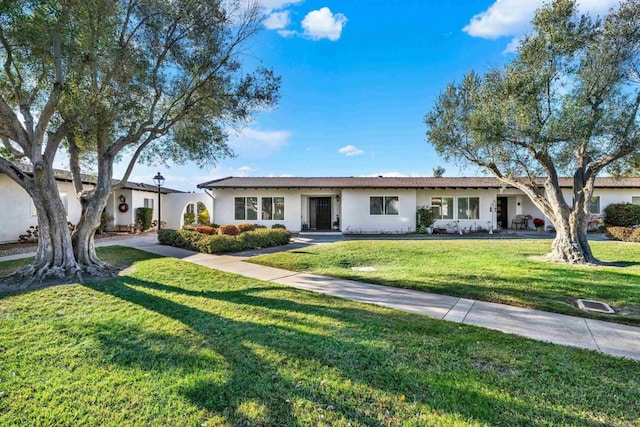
(609, 338)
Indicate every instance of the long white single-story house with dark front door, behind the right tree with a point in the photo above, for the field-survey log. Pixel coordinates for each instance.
(389, 205)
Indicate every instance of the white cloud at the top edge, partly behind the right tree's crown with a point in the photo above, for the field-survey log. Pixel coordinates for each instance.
(513, 17)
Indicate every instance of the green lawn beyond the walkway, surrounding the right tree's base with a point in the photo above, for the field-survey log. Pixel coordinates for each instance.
(497, 270)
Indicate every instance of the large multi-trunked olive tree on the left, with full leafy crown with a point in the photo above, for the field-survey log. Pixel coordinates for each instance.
(142, 78)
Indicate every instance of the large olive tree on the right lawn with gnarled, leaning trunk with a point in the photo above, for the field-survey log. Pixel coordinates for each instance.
(567, 104)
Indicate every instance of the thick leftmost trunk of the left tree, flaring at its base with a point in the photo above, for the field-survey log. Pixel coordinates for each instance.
(55, 259)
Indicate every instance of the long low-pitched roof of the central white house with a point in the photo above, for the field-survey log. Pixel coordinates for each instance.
(390, 182)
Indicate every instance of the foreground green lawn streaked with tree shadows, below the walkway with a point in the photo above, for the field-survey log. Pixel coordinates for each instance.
(172, 343)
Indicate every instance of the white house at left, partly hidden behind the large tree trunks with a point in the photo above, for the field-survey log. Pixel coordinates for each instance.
(19, 213)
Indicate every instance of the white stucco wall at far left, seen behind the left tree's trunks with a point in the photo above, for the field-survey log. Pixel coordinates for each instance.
(16, 208)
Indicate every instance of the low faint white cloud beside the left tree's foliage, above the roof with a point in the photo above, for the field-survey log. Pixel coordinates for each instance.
(252, 143)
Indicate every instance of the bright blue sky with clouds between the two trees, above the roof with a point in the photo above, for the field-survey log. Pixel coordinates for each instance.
(357, 79)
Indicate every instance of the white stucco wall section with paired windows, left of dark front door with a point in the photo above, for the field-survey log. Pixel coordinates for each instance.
(225, 206)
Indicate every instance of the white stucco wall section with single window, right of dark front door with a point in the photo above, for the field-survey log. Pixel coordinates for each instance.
(356, 217)
